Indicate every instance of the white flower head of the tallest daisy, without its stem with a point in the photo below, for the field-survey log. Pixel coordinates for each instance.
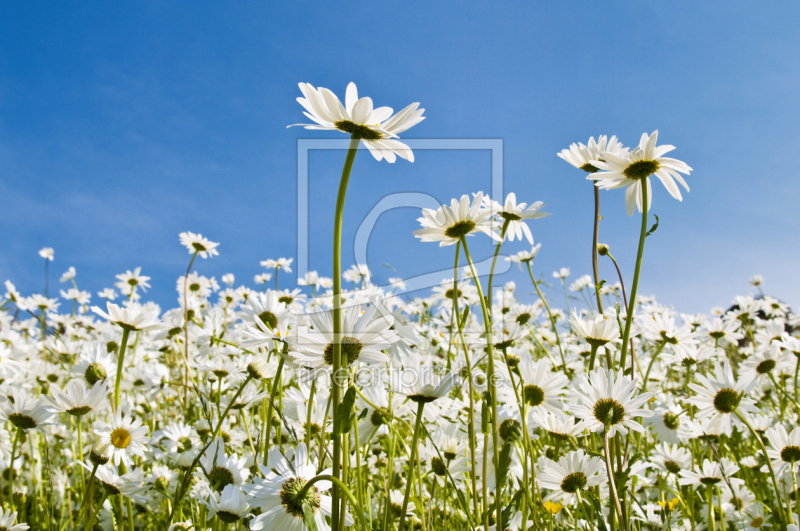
(376, 128)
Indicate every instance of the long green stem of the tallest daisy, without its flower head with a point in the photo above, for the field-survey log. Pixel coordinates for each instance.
(337, 318)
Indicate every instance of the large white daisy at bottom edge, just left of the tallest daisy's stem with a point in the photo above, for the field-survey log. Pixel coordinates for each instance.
(278, 495)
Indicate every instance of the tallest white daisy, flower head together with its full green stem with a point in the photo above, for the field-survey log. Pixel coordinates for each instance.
(378, 130)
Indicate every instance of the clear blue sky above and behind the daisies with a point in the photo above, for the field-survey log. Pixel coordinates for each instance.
(125, 123)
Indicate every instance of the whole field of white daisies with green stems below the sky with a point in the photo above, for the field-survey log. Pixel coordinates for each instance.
(340, 404)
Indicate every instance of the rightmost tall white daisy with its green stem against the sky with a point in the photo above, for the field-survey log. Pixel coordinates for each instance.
(632, 170)
